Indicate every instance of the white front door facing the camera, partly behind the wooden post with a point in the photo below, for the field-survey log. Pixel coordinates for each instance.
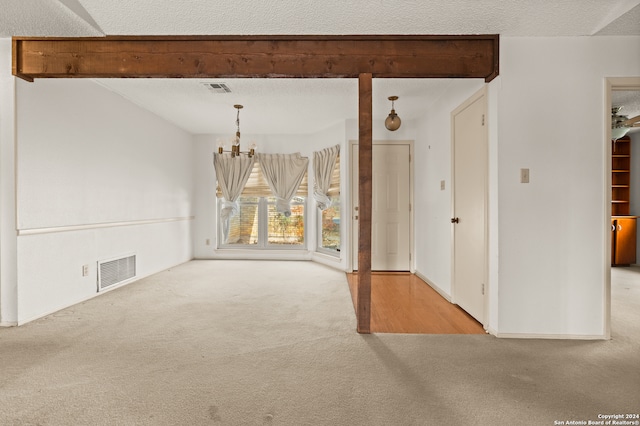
(390, 218)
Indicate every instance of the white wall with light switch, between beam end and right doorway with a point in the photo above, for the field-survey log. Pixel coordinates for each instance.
(551, 108)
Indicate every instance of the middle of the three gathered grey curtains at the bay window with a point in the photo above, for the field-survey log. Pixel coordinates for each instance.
(283, 173)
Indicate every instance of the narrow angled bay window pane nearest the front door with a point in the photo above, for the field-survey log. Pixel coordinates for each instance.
(329, 219)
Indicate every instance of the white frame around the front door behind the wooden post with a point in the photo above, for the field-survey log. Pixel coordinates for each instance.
(352, 230)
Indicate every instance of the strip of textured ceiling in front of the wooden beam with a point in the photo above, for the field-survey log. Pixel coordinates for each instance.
(173, 17)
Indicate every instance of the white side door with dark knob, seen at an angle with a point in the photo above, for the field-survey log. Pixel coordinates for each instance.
(469, 206)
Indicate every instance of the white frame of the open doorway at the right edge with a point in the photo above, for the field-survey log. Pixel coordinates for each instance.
(611, 84)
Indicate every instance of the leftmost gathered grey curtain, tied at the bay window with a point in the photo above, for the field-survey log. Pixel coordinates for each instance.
(232, 174)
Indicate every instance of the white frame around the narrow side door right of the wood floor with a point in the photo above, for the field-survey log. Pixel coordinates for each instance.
(483, 92)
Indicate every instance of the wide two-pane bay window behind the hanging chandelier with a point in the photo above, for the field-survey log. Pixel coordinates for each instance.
(258, 225)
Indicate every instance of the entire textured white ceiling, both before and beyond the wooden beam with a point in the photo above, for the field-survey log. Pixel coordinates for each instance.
(287, 106)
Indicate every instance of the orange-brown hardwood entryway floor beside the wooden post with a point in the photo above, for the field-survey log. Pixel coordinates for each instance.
(403, 303)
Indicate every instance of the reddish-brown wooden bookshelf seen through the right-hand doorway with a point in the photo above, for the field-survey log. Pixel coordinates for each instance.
(620, 176)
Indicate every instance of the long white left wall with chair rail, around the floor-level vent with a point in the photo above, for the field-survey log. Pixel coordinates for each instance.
(86, 157)
